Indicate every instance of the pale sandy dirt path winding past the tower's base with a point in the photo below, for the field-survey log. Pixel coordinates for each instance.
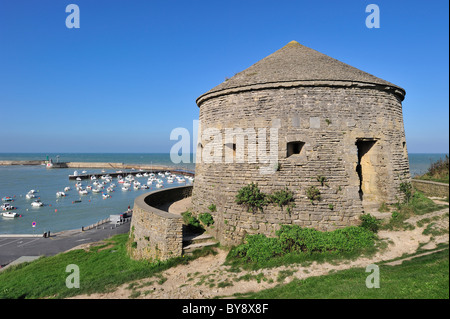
(207, 277)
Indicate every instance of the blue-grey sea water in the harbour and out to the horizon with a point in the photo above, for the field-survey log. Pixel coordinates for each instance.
(64, 213)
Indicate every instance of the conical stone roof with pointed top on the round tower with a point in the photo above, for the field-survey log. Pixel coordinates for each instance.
(297, 65)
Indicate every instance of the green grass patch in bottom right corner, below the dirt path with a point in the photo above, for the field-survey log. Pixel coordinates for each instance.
(425, 277)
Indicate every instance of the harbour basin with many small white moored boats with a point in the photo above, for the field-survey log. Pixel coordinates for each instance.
(74, 209)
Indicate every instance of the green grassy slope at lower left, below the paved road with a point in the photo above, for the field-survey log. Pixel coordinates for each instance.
(101, 270)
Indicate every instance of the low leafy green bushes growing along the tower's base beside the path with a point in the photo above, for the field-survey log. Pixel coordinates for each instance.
(297, 245)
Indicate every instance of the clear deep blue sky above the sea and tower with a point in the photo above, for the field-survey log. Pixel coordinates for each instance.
(132, 71)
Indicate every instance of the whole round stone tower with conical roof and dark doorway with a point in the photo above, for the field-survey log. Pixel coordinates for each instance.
(337, 129)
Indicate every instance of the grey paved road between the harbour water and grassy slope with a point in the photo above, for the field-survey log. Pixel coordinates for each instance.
(13, 247)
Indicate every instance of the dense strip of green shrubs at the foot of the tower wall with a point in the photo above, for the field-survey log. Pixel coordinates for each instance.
(257, 250)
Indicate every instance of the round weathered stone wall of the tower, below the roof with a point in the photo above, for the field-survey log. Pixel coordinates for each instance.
(329, 121)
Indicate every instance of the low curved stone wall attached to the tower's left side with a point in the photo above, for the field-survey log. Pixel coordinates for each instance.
(157, 234)
